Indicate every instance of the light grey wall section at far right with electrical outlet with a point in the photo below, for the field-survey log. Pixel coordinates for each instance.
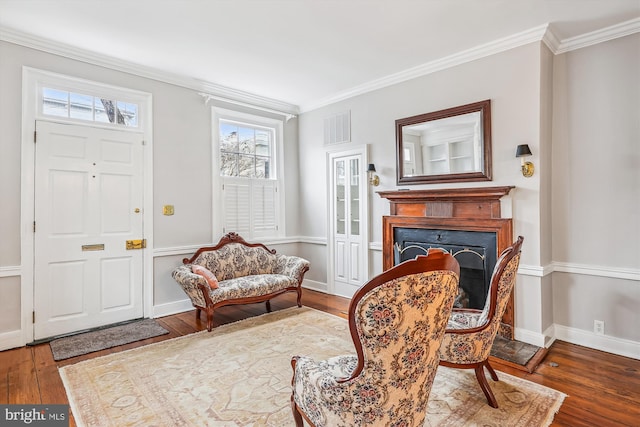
(596, 193)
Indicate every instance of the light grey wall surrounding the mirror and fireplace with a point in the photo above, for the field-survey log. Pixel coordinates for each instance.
(510, 79)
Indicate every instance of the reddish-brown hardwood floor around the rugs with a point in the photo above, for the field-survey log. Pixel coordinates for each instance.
(603, 389)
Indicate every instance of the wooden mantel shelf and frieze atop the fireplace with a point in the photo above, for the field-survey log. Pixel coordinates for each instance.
(476, 202)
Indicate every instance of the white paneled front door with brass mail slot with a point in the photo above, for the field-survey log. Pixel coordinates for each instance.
(88, 204)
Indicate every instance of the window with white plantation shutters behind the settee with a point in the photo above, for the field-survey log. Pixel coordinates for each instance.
(248, 172)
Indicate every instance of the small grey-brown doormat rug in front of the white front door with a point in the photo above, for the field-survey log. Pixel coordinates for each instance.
(88, 342)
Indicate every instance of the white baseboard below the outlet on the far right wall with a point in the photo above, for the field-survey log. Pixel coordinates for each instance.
(606, 343)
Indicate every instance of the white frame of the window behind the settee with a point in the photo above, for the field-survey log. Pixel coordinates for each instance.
(277, 173)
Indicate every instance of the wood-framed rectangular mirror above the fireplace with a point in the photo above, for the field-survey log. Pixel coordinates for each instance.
(452, 145)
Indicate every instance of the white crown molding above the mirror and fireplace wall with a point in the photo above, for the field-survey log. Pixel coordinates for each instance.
(533, 35)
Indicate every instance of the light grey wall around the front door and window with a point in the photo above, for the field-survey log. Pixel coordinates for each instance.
(182, 176)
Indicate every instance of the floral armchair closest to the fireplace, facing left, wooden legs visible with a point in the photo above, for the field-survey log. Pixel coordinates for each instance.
(470, 333)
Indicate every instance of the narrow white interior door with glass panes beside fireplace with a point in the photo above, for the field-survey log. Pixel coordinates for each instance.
(349, 236)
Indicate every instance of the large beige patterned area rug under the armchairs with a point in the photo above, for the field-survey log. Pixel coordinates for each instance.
(240, 375)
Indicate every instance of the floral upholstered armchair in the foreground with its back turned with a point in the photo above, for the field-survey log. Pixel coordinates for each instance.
(397, 321)
